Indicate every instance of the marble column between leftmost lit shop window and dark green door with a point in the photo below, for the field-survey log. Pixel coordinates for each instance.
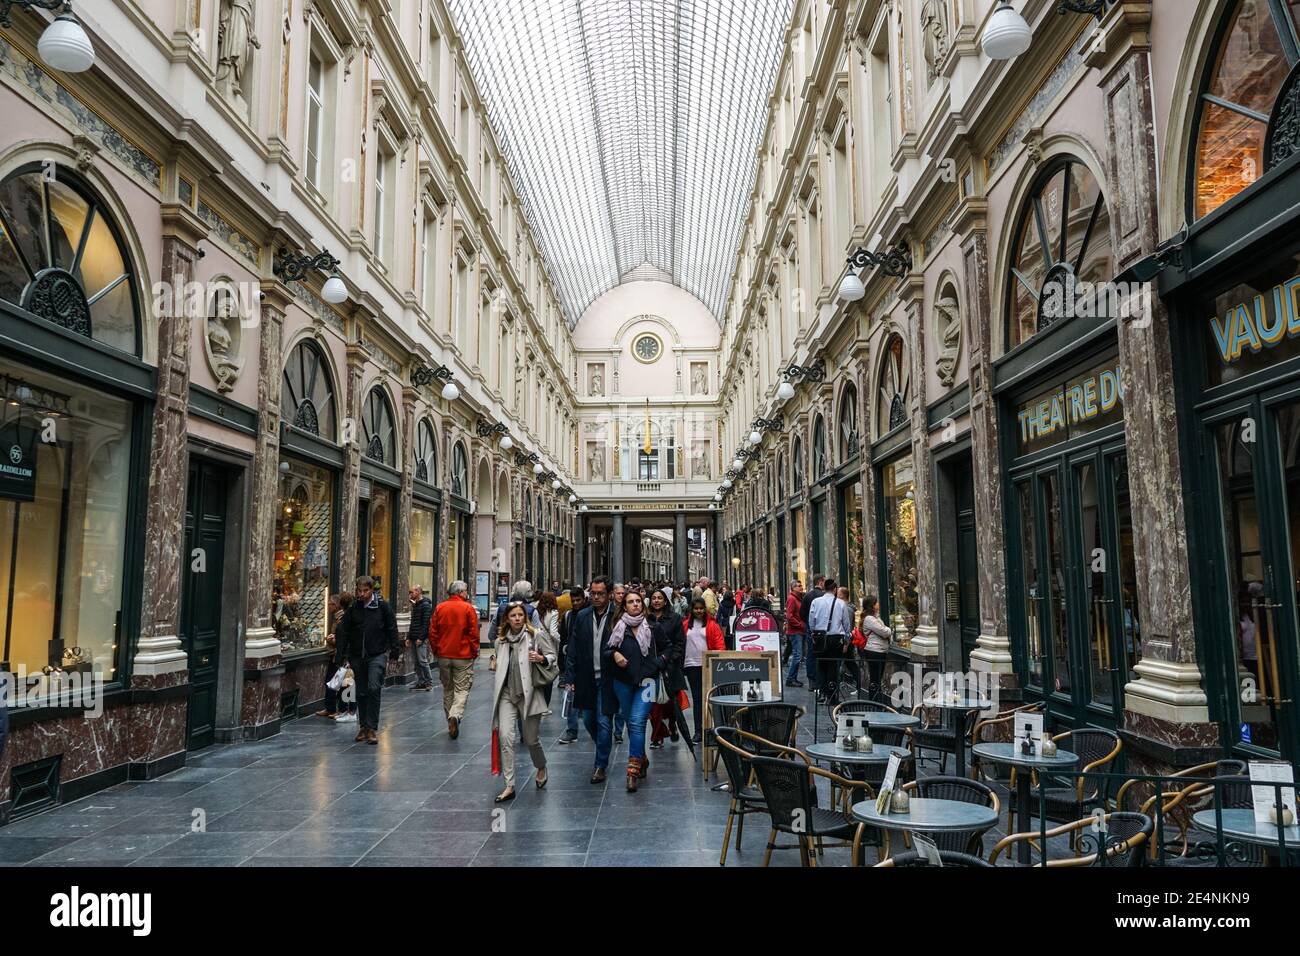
(159, 657)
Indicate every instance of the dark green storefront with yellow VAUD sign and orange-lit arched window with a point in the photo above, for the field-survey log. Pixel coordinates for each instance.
(1237, 332)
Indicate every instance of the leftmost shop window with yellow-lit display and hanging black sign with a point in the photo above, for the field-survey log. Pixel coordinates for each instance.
(63, 526)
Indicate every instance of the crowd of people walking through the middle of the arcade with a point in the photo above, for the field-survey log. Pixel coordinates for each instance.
(627, 659)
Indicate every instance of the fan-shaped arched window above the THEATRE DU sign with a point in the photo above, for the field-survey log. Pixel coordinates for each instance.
(1063, 240)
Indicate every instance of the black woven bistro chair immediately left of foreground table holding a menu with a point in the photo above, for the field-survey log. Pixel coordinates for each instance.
(790, 794)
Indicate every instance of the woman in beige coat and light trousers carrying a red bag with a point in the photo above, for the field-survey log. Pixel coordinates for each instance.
(526, 661)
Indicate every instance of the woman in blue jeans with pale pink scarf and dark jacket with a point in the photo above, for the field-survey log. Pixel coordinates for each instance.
(630, 664)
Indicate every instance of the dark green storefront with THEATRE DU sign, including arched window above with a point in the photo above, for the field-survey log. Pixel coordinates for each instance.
(1072, 590)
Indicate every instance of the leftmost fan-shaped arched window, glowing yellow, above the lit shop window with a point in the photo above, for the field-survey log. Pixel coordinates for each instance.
(63, 257)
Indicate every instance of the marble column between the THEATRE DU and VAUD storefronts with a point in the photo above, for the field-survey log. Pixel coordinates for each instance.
(1165, 704)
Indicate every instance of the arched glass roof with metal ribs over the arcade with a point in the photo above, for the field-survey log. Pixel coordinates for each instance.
(631, 129)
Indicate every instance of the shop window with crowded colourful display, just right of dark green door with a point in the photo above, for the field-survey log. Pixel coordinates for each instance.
(305, 531)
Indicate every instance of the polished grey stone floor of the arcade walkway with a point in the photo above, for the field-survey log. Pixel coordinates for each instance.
(311, 797)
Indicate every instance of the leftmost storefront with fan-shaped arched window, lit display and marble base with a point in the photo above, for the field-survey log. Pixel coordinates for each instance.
(73, 485)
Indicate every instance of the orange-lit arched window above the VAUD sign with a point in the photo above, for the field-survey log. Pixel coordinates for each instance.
(1253, 72)
